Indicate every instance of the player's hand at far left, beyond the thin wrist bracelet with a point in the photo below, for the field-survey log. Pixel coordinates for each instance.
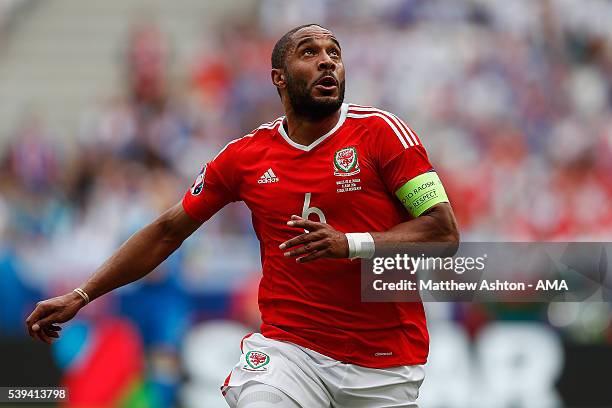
(42, 323)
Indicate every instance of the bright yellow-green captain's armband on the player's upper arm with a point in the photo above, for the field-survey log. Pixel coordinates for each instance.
(421, 193)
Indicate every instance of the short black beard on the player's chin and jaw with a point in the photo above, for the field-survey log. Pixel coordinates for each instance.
(303, 103)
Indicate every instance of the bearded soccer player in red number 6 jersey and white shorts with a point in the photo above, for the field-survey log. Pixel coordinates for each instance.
(326, 184)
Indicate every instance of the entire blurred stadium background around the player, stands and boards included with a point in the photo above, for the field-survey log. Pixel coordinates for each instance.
(109, 109)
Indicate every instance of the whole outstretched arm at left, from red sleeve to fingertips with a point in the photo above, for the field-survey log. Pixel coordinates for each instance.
(214, 187)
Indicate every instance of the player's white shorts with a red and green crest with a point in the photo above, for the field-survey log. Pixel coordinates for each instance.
(314, 380)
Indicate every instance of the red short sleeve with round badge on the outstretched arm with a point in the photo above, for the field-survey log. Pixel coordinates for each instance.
(215, 186)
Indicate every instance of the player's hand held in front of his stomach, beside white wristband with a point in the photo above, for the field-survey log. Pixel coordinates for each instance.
(321, 241)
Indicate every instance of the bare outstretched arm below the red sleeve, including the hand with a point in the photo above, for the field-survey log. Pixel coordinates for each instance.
(138, 256)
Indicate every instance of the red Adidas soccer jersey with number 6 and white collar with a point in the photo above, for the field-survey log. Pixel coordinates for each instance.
(346, 178)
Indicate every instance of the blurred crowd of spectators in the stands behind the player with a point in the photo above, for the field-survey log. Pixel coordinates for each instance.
(513, 101)
